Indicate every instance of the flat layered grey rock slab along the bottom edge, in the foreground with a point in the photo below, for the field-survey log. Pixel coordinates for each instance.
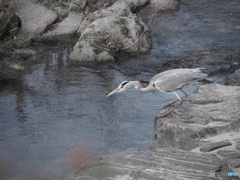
(155, 165)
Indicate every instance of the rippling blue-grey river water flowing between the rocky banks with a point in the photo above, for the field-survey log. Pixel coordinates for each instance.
(57, 116)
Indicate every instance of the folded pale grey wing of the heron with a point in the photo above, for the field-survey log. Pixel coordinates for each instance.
(176, 79)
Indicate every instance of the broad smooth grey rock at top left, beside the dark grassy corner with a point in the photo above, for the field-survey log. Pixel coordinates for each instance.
(35, 18)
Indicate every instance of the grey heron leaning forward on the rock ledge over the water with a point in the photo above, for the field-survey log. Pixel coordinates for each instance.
(167, 81)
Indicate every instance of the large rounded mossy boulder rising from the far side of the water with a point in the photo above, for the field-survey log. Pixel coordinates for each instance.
(105, 36)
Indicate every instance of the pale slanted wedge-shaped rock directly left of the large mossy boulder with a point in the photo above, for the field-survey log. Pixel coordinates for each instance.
(66, 28)
